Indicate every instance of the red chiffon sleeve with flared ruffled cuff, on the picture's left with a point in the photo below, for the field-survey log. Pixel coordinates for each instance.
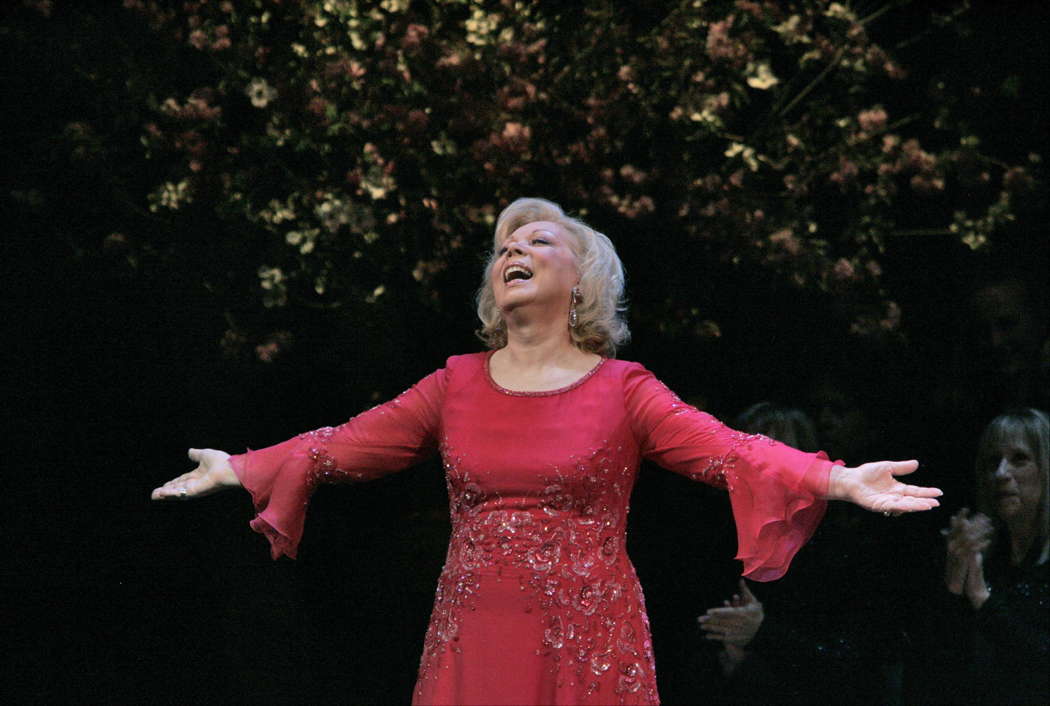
(387, 439)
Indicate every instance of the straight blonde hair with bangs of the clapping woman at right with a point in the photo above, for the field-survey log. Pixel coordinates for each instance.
(1032, 428)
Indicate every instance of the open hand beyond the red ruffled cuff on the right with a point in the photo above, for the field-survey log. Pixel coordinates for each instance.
(875, 487)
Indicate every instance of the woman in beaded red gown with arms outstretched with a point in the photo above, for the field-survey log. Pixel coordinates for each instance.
(541, 439)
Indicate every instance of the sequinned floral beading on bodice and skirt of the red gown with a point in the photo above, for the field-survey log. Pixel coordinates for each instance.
(563, 546)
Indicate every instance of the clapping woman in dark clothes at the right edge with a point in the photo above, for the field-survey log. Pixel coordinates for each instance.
(995, 642)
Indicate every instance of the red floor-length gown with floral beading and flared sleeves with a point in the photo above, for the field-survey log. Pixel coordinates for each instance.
(538, 603)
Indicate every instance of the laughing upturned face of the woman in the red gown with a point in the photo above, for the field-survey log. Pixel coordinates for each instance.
(535, 265)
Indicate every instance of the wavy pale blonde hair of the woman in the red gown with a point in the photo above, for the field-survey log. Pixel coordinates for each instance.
(601, 328)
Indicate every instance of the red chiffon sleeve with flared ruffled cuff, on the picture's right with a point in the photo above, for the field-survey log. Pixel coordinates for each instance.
(778, 493)
